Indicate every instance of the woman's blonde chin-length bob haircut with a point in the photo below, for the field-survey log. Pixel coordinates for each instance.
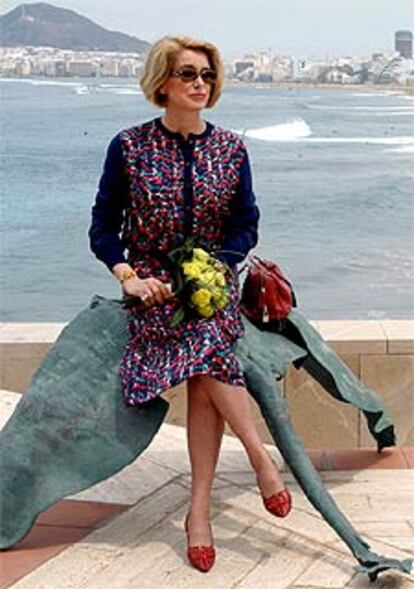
(160, 62)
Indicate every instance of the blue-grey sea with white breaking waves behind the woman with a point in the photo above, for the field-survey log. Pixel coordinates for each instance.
(333, 176)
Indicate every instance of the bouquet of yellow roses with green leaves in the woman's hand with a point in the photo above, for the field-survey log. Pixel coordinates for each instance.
(199, 281)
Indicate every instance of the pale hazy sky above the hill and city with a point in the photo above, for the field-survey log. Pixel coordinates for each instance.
(304, 28)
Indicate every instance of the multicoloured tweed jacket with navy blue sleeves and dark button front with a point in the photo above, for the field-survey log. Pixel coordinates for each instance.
(158, 187)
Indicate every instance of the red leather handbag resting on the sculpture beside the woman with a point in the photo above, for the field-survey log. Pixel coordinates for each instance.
(267, 295)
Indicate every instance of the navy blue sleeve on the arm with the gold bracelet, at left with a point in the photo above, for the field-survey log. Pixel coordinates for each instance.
(107, 212)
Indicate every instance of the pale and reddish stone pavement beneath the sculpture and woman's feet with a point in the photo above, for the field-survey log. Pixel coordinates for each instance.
(127, 532)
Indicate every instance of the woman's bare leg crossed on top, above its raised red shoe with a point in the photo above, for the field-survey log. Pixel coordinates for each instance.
(233, 403)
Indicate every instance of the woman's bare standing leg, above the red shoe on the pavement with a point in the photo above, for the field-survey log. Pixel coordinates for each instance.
(205, 427)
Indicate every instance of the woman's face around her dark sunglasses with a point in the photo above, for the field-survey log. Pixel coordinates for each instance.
(188, 96)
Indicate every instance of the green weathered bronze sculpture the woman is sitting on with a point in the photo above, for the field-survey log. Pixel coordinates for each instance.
(71, 428)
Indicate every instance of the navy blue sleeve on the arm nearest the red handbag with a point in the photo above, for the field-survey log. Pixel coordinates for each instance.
(241, 229)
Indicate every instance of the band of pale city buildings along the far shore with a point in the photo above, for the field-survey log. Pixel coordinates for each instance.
(259, 66)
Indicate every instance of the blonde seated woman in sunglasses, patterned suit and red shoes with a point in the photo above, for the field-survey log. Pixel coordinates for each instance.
(162, 180)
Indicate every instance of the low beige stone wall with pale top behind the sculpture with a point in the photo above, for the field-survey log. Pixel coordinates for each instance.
(380, 353)
